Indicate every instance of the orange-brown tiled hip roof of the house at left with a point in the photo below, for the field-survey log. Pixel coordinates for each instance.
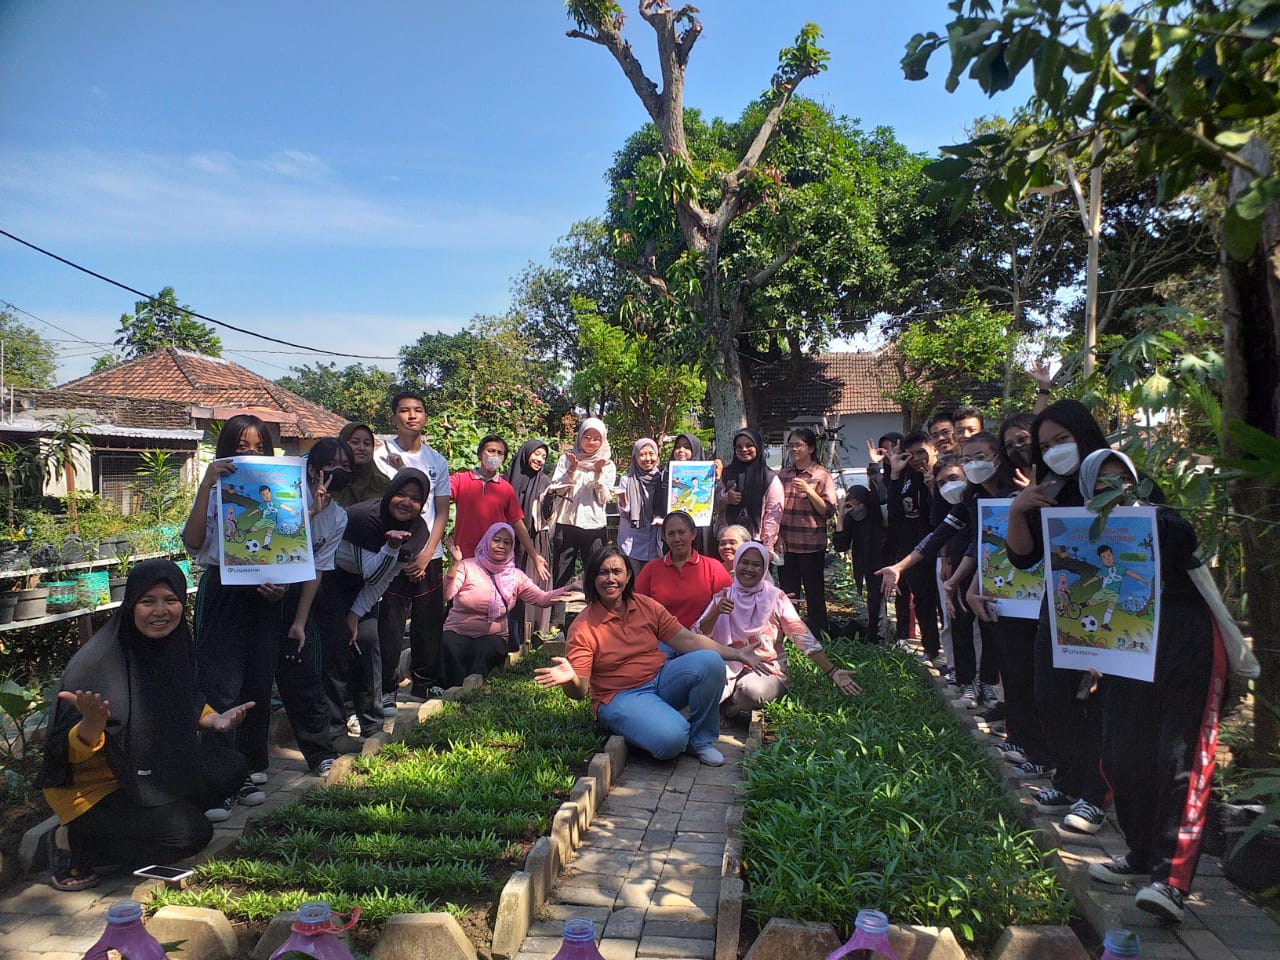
(211, 382)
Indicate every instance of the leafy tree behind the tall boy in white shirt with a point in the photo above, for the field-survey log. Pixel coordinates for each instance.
(491, 374)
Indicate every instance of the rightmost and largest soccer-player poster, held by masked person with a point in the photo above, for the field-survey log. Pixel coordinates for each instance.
(1104, 589)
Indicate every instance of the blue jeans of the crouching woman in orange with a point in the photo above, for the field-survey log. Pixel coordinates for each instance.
(650, 717)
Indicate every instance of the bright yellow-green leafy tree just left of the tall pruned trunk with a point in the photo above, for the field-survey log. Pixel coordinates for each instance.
(641, 391)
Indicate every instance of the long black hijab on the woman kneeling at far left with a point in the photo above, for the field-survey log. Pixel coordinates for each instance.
(152, 735)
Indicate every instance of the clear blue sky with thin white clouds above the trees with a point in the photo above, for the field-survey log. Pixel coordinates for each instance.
(353, 176)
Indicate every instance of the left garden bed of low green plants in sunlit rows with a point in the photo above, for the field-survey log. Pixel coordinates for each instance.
(435, 822)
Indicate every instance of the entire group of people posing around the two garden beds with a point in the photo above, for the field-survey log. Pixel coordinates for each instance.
(683, 629)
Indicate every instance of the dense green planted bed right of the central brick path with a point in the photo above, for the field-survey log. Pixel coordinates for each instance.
(886, 802)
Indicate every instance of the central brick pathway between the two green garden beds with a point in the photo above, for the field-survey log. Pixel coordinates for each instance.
(650, 870)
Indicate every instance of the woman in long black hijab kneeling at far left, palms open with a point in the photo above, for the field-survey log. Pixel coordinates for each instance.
(125, 767)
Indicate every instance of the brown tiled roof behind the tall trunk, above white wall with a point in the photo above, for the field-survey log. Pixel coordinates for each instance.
(830, 385)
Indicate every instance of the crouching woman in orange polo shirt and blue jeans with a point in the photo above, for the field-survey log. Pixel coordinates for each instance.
(637, 693)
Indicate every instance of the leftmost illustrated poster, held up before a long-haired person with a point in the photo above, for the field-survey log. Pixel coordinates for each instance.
(264, 520)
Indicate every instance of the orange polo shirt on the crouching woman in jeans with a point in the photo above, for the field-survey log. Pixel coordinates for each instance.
(620, 653)
